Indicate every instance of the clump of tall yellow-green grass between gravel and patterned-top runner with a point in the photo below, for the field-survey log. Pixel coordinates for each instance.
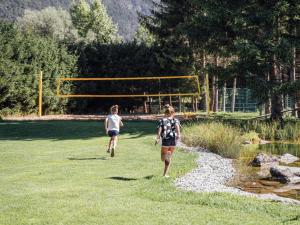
(219, 138)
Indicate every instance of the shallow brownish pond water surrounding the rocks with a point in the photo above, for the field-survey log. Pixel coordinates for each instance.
(258, 179)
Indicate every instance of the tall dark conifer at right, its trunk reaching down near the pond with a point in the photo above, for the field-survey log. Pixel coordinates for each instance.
(257, 32)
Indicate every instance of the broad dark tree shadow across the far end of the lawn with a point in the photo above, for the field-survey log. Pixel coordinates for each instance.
(68, 130)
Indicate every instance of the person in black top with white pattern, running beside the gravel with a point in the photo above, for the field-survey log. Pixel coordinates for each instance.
(168, 132)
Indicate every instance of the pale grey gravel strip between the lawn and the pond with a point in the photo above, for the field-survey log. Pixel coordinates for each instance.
(213, 173)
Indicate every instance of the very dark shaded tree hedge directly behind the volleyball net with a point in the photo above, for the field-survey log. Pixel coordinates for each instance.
(123, 60)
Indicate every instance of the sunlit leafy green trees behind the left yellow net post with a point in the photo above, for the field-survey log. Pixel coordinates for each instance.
(22, 56)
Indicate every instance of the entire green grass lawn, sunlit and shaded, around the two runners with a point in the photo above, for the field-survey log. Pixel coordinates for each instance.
(58, 172)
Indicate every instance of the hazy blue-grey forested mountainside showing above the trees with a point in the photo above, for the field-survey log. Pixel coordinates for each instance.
(124, 12)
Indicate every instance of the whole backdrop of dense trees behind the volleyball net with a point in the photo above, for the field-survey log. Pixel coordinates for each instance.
(224, 43)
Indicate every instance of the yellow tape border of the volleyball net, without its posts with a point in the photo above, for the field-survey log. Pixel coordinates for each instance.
(60, 80)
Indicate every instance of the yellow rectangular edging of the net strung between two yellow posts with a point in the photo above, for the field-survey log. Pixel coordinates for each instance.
(145, 93)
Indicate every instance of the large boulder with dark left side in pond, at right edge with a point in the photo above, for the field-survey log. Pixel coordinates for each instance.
(286, 174)
